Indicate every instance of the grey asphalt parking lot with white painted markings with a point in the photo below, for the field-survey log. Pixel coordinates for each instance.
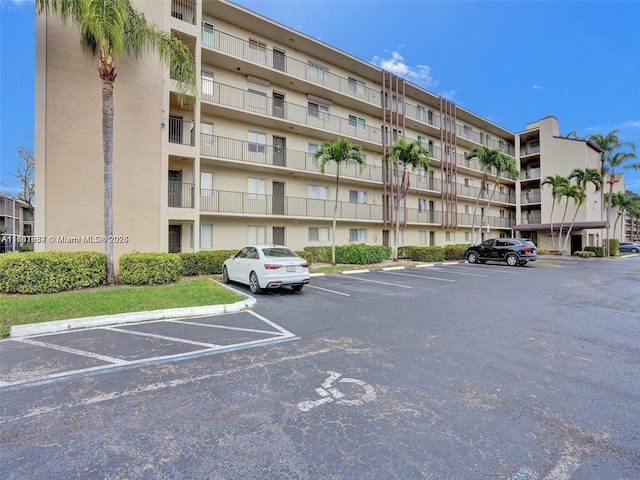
(442, 371)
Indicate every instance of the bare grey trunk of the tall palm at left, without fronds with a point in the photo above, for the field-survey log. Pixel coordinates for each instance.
(107, 148)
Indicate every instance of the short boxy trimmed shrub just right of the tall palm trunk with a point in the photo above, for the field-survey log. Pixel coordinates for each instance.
(149, 268)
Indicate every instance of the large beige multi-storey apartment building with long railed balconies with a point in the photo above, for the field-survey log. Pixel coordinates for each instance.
(235, 165)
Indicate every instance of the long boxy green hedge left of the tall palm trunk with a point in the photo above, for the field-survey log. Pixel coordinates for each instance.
(50, 272)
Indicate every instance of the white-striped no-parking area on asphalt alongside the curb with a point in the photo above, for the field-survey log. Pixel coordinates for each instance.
(42, 358)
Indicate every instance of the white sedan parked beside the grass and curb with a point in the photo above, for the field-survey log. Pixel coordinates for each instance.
(266, 266)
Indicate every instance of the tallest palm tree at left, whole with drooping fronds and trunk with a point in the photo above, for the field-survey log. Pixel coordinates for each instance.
(112, 29)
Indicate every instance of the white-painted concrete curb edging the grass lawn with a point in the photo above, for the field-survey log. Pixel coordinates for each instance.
(19, 331)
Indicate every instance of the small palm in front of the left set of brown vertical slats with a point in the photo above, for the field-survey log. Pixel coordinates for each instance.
(409, 156)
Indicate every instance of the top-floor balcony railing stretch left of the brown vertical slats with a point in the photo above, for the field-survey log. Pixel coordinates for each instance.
(277, 60)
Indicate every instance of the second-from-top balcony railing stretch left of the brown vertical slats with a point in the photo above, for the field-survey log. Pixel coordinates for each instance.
(258, 104)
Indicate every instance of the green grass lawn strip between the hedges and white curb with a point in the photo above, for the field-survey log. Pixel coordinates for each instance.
(22, 309)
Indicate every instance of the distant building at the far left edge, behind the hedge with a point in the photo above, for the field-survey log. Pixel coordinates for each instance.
(16, 224)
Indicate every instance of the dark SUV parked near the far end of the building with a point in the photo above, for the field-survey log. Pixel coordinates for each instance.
(514, 251)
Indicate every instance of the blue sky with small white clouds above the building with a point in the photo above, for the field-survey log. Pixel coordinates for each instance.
(511, 62)
